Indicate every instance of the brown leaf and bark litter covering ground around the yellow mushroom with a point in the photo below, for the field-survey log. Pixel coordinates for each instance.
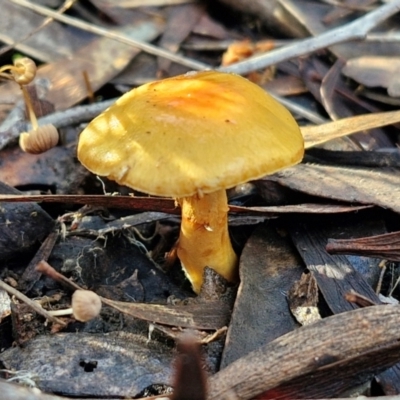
(129, 259)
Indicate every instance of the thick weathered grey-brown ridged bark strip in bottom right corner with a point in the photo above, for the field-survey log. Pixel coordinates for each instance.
(337, 350)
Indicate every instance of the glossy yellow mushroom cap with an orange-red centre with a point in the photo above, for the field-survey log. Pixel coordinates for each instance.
(193, 133)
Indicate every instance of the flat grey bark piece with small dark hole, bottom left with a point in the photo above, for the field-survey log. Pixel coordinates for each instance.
(121, 364)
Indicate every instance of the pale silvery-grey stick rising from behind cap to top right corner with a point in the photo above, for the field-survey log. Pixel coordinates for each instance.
(355, 30)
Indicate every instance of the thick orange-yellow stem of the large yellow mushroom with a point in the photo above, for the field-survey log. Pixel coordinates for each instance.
(204, 237)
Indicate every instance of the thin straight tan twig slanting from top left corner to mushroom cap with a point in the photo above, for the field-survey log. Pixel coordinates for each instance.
(148, 48)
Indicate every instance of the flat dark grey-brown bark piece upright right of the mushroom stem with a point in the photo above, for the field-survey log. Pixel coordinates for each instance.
(268, 268)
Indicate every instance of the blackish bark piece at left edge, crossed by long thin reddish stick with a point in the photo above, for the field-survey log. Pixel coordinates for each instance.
(22, 226)
